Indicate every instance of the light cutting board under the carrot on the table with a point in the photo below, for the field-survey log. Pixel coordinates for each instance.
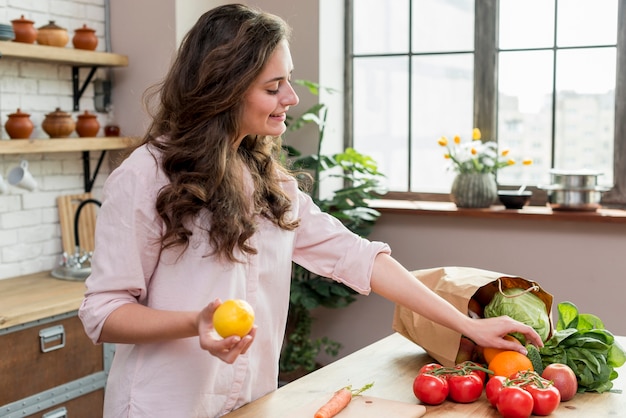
(365, 407)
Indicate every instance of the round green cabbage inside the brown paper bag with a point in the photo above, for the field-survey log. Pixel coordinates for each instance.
(524, 307)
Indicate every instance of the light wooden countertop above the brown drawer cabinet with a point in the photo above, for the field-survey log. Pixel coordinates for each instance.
(36, 296)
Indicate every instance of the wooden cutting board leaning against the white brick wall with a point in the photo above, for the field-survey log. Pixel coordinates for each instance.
(68, 204)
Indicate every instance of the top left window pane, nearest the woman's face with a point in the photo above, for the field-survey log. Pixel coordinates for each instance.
(381, 27)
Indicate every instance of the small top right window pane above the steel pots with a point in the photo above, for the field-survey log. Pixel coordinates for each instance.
(587, 22)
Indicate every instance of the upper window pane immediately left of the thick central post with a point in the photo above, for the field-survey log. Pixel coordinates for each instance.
(443, 26)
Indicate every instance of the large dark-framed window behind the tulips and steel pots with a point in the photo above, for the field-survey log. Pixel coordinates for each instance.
(538, 76)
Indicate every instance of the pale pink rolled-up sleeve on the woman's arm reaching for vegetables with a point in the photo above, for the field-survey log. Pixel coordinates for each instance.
(326, 247)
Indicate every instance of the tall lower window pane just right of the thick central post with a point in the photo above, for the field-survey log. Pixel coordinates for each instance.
(525, 114)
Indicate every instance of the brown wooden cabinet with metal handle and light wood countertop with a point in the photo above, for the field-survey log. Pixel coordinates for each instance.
(49, 367)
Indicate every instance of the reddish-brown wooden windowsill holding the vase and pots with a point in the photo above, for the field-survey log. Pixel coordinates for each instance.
(535, 213)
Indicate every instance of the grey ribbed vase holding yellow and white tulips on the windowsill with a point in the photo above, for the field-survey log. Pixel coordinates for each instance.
(474, 190)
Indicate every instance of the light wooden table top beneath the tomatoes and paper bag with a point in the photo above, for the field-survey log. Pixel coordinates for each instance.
(392, 364)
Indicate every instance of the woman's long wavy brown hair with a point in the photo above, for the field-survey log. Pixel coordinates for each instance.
(196, 124)
